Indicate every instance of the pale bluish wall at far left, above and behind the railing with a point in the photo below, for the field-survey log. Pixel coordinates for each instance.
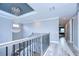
(5, 33)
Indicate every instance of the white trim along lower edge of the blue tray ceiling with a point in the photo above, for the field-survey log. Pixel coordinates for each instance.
(11, 16)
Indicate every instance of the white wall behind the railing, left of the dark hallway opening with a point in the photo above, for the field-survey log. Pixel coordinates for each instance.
(48, 26)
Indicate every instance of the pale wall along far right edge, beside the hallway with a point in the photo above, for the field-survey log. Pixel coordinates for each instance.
(75, 29)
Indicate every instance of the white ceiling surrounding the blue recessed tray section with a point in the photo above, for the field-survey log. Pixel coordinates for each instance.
(44, 11)
